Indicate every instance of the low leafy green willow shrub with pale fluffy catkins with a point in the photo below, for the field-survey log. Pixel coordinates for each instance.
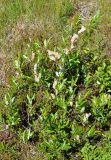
(66, 104)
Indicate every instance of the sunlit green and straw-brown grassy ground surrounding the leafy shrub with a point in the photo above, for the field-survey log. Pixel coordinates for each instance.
(24, 22)
